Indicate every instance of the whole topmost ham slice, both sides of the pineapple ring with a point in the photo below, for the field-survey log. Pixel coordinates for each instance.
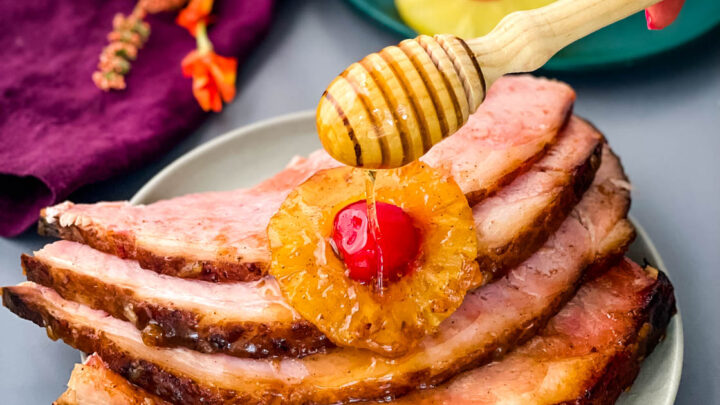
(220, 236)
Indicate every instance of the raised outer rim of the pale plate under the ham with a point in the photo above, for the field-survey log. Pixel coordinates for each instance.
(142, 197)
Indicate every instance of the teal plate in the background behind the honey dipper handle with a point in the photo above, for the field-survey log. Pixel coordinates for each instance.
(623, 42)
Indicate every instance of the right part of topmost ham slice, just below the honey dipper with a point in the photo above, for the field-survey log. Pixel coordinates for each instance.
(516, 122)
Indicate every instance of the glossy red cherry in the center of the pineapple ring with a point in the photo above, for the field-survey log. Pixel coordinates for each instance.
(363, 254)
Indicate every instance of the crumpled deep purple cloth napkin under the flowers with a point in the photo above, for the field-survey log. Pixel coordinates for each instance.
(58, 131)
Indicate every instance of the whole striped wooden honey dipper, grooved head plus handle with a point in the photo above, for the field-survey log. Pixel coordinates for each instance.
(392, 106)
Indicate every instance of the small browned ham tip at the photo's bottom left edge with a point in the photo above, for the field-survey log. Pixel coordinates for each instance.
(92, 383)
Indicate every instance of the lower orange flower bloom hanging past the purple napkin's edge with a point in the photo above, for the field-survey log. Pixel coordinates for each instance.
(213, 78)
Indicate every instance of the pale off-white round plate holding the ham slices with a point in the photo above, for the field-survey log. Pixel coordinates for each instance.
(250, 154)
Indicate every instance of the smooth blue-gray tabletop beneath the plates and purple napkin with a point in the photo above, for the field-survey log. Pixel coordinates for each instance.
(661, 116)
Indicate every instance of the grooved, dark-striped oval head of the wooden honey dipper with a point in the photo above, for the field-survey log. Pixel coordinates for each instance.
(392, 106)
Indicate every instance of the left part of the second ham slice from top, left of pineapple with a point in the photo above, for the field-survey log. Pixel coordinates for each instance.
(249, 319)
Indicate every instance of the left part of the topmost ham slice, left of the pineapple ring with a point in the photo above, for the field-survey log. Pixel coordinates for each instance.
(215, 236)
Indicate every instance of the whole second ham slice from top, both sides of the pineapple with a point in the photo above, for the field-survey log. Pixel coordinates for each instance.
(250, 319)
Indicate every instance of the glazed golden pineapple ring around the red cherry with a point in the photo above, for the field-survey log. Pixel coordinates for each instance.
(314, 279)
